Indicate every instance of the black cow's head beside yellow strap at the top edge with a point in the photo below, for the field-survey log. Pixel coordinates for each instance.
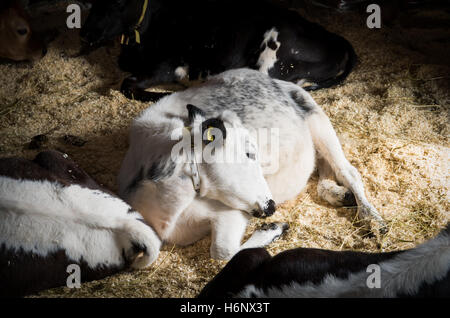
(109, 19)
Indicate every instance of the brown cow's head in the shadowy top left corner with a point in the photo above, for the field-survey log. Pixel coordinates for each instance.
(17, 41)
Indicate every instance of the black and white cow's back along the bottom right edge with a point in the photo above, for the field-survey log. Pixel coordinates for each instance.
(306, 272)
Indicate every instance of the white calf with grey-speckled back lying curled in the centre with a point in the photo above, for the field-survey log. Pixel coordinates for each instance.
(184, 197)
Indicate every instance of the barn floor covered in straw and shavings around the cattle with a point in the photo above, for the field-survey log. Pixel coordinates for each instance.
(392, 117)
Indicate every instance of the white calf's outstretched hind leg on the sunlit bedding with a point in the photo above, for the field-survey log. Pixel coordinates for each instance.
(328, 146)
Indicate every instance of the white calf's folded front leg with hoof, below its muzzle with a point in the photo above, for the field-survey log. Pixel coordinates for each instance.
(228, 228)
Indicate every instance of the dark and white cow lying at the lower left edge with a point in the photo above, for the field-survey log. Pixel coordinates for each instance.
(52, 215)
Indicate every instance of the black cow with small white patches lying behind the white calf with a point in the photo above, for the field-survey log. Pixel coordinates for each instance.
(173, 41)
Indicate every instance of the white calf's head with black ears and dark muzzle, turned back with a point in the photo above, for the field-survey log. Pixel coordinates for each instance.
(227, 161)
